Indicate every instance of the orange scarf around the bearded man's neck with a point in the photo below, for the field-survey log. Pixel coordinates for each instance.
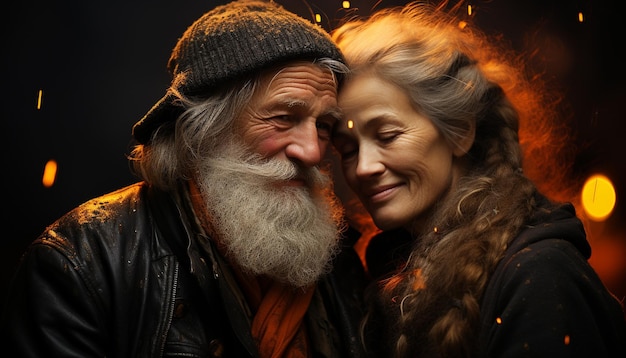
(277, 324)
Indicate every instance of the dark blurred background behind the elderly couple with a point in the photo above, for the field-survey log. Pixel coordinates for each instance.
(102, 65)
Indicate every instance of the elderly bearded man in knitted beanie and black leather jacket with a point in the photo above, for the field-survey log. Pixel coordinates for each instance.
(225, 246)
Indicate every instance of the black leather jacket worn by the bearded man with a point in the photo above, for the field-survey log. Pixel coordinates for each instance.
(121, 276)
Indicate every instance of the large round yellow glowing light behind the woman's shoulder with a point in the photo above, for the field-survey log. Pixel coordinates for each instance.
(598, 197)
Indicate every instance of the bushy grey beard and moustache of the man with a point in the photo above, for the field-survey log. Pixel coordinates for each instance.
(288, 233)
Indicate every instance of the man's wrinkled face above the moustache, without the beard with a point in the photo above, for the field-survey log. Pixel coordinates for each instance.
(292, 114)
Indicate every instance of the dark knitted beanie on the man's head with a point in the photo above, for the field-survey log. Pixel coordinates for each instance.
(231, 41)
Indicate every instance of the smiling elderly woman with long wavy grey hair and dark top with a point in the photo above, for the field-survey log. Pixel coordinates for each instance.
(473, 259)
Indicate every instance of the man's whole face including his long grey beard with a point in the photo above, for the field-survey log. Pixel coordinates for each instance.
(273, 209)
